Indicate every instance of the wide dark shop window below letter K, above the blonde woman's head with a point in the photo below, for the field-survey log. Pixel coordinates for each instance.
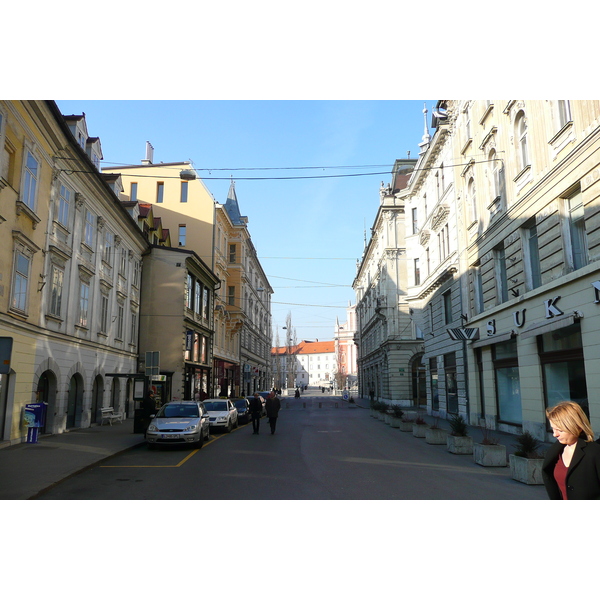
(561, 356)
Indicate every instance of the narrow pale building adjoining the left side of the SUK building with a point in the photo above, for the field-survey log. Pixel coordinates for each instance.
(434, 291)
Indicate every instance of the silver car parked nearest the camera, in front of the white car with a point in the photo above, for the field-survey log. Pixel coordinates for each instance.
(179, 423)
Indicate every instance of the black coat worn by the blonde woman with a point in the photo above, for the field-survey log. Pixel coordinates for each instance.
(583, 475)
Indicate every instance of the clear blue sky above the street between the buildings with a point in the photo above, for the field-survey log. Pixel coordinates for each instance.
(308, 233)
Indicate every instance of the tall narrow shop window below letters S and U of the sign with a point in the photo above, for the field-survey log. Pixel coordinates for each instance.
(508, 387)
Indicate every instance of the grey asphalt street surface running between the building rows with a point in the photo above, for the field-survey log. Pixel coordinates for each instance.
(323, 450)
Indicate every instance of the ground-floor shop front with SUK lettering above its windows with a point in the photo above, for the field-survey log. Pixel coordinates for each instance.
(536, 351)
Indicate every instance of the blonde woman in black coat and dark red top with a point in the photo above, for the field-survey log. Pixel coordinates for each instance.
(571, 469)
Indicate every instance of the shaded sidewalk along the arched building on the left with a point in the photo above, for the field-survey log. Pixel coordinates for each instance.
(28, 469)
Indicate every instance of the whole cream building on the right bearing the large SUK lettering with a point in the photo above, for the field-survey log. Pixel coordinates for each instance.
(528, 186)
